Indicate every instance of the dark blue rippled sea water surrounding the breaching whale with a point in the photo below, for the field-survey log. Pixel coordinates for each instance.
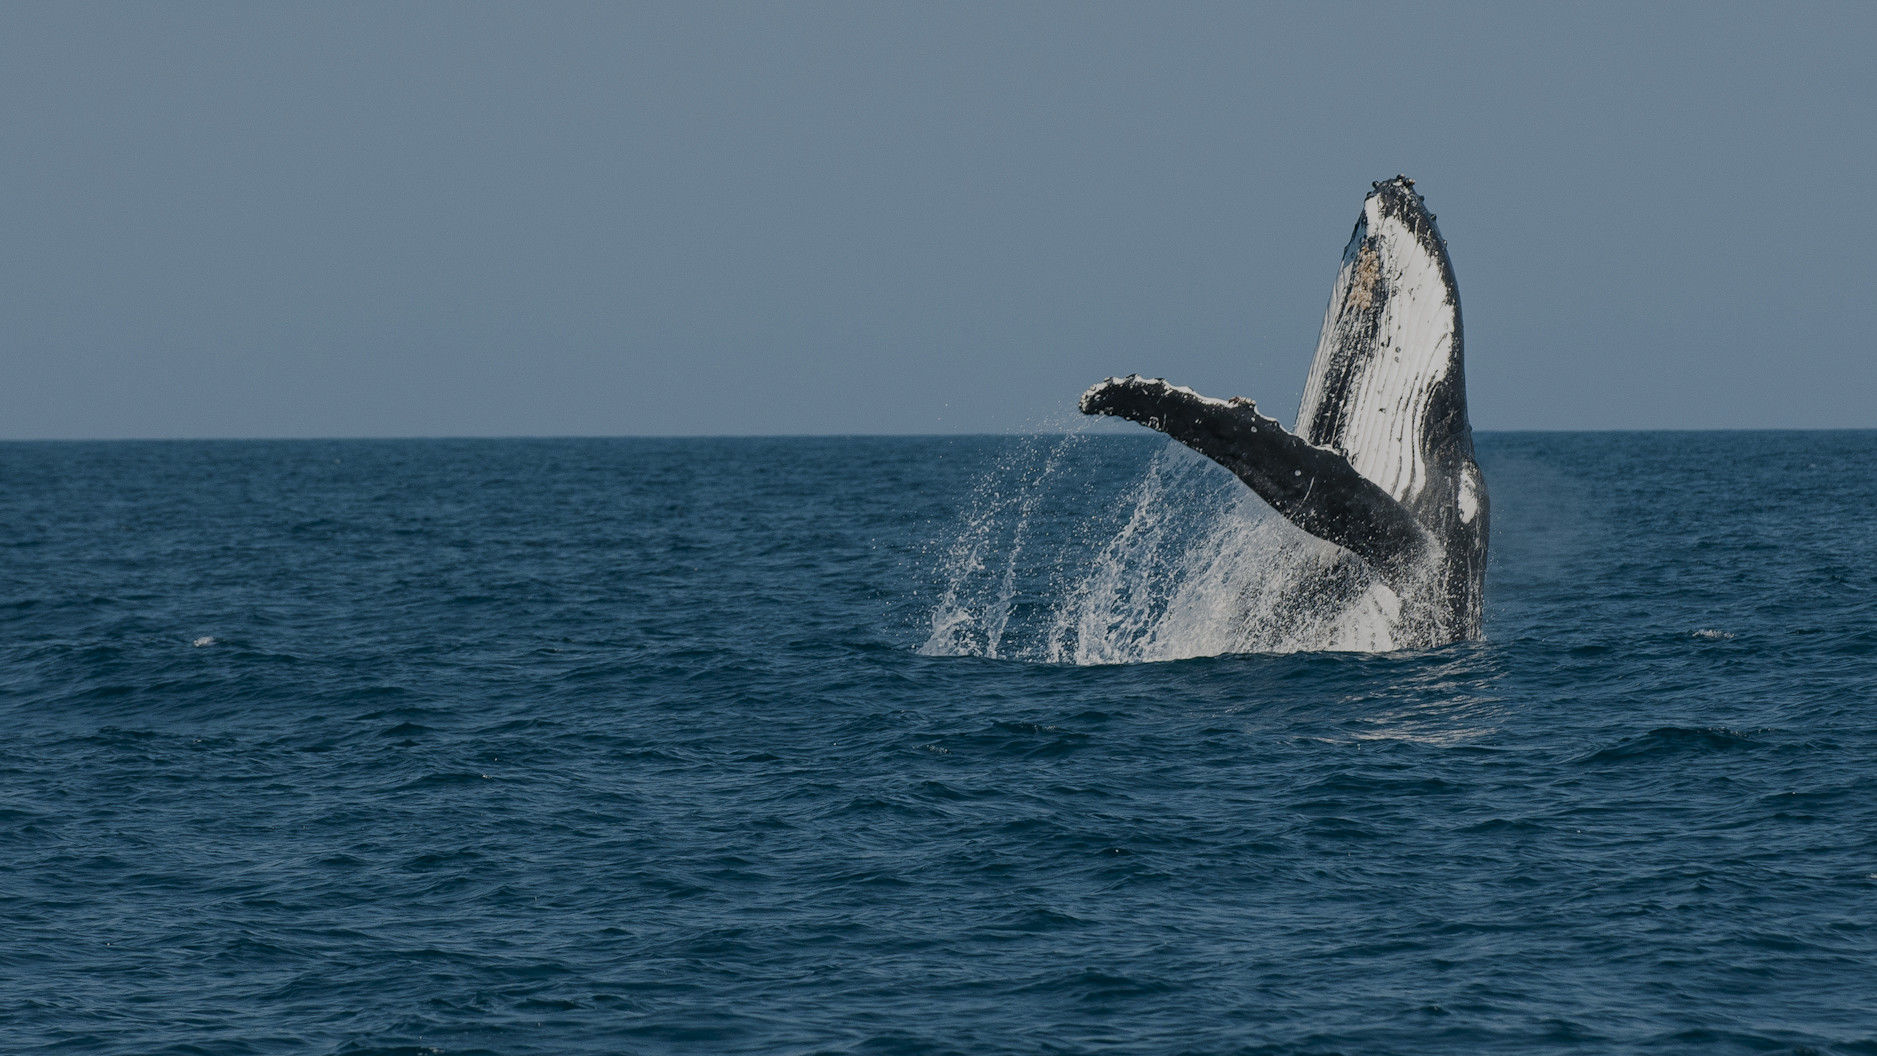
(557, 747)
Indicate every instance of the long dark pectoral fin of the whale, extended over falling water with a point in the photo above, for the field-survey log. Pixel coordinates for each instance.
(1313, 487)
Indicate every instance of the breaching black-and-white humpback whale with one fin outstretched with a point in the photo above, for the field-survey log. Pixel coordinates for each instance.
(1382, 460)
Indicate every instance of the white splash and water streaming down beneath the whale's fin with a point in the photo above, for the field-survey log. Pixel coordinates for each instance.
(1187, 564)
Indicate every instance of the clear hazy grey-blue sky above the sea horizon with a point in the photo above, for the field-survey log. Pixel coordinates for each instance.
(388, 220)
